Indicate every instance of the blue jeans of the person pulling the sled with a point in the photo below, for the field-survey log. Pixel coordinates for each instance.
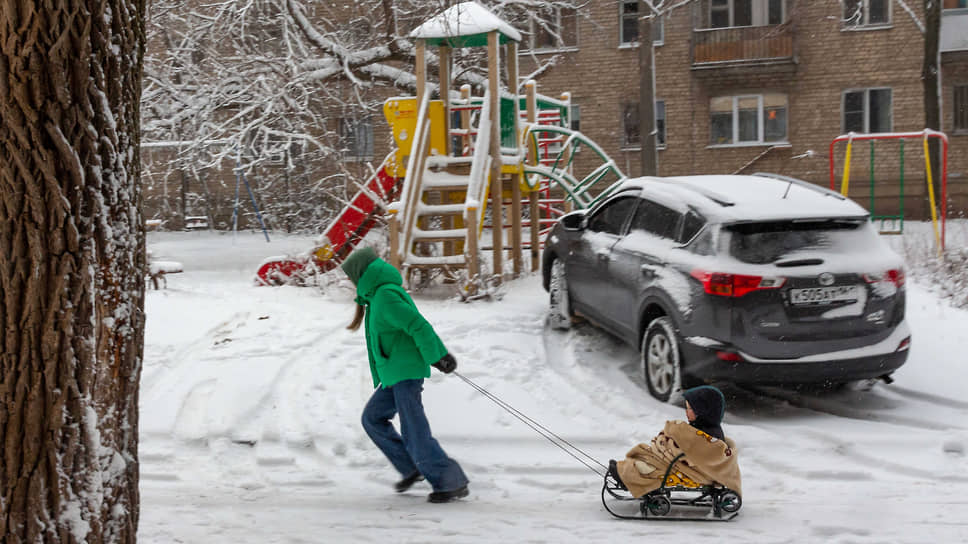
(413, 449)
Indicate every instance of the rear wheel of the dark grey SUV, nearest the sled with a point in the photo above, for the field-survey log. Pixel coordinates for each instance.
(661, 361)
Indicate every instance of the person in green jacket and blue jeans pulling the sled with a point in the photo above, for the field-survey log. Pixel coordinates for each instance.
(401, 346)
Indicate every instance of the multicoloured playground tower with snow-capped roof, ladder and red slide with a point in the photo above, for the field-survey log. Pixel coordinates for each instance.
(464, 167)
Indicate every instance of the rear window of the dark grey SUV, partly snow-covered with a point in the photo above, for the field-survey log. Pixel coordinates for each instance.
(769, 242)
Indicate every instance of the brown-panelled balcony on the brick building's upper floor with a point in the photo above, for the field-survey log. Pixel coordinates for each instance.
(768, 48)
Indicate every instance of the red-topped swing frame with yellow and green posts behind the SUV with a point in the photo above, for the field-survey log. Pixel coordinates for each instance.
(897, 220)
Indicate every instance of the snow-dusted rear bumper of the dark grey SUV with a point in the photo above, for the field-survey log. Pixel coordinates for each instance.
(872, 361)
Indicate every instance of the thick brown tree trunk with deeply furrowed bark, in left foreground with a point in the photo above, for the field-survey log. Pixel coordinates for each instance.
(72, 269)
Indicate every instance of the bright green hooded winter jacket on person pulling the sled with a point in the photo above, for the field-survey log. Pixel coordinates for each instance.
(400, 343)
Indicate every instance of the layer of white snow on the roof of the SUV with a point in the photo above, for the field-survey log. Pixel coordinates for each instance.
(736, 198)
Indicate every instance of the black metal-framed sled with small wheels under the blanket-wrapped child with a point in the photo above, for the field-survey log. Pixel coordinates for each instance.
(678, 499)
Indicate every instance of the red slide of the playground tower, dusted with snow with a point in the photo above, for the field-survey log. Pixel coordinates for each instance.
(342, 236)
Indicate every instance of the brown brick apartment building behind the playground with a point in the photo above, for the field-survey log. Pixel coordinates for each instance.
(741, 86)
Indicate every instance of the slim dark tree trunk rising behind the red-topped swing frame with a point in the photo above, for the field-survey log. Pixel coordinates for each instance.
(930, 76)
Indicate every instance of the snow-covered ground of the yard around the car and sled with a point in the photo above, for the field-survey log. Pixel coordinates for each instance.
(251, 398)
